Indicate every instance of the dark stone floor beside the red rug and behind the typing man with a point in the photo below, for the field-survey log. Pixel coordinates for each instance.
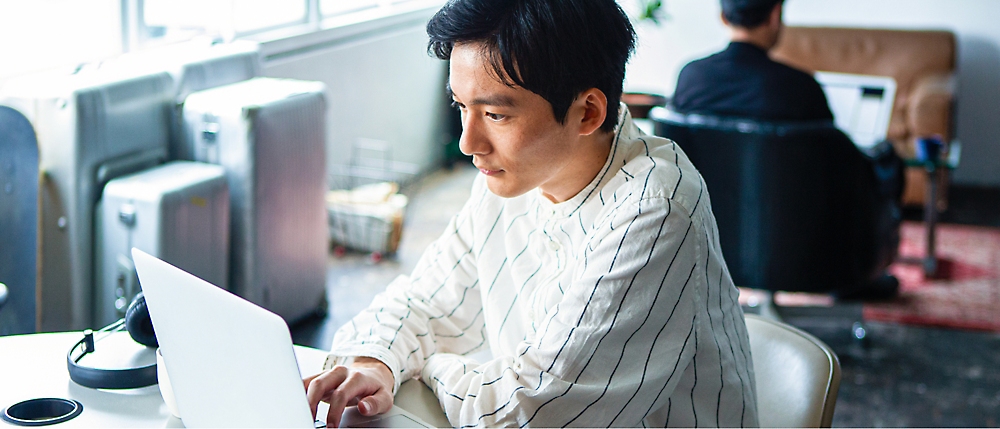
(902, 376)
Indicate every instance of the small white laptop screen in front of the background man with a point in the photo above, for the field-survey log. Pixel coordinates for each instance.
(861, 104)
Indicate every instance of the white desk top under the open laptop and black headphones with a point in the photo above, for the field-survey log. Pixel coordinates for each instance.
(34, 366)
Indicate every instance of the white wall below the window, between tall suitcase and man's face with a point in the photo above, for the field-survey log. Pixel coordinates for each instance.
(381, 85)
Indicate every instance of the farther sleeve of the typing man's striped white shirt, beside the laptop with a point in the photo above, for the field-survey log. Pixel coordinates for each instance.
(436, 308)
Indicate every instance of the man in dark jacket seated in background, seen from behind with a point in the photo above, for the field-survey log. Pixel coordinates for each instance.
(742, 81)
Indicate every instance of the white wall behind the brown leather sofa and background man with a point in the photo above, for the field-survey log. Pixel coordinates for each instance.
(694, 30)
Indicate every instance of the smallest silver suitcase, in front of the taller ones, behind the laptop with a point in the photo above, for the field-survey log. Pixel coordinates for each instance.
(178, 212)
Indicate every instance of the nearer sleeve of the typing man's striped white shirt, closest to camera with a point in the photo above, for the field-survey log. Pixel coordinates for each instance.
(611, 351)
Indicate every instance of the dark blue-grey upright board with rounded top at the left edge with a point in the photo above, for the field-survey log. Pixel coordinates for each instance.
(18, 222)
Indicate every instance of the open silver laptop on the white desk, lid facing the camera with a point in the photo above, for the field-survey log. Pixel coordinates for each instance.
(231, 363)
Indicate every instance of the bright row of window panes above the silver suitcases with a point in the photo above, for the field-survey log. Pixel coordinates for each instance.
(42, 34)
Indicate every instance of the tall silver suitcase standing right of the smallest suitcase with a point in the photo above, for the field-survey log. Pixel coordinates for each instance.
(270, 135)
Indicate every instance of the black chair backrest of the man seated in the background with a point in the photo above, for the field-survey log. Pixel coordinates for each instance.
(798, 205)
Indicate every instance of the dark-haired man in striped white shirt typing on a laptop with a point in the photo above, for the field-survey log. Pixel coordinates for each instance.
(586, 259)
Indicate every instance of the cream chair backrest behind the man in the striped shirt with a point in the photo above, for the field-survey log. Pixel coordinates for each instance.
(797, 375)
